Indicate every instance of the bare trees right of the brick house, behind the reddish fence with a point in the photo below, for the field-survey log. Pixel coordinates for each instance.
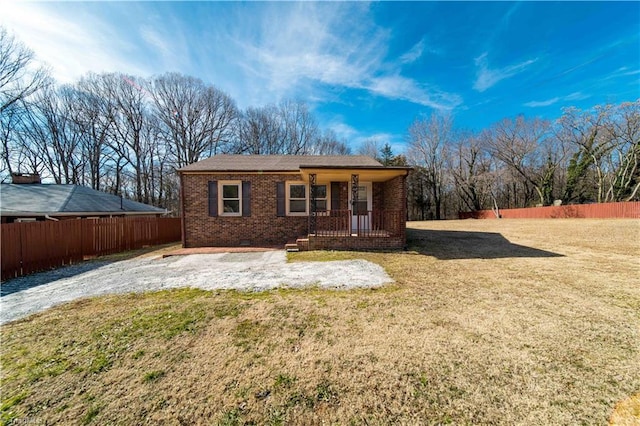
(588, 156)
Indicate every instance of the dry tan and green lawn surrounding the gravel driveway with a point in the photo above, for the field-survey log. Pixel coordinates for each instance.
(490, 322)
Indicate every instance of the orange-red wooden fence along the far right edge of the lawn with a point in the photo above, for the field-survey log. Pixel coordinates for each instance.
(595, 211)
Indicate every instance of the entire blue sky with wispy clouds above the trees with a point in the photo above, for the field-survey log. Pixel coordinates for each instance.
(367, 70)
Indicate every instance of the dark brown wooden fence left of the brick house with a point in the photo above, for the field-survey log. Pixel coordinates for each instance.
(35, 246)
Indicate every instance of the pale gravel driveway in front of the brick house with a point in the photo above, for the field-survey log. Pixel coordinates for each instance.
(254, 271)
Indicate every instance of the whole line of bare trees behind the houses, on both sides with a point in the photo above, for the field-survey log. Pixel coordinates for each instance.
(127, 135)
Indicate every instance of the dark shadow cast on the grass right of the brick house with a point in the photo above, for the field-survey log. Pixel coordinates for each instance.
(448, 245)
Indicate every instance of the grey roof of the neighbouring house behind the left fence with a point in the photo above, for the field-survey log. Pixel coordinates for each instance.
(52, 199)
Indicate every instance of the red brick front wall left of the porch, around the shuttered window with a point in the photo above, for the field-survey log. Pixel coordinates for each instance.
(262, 228)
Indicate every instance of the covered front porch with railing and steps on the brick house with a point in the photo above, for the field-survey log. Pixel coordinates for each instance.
(355, 208)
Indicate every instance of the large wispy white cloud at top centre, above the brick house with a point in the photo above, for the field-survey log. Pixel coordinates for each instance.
(310, 47)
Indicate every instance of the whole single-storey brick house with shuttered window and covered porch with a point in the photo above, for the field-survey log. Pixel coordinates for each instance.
(321, 202)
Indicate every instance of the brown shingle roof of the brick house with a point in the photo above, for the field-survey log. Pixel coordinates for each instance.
(277, 163)
